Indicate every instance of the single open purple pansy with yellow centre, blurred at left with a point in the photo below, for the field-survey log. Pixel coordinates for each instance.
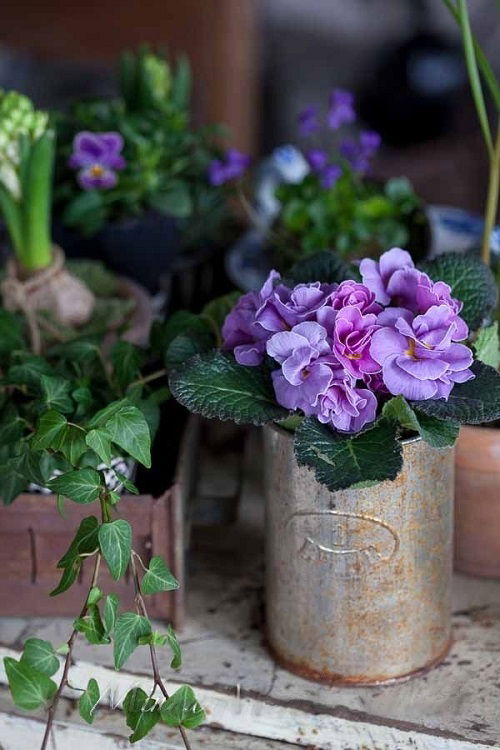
(98, 157)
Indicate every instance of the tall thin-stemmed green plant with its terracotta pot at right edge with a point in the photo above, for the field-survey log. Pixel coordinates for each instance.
(477, 545)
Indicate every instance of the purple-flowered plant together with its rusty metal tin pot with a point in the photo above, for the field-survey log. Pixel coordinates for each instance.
(362, 377)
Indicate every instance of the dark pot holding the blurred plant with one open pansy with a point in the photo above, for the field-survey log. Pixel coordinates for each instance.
(142, 248)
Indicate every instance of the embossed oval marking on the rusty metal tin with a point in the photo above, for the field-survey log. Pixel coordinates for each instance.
(357, 541)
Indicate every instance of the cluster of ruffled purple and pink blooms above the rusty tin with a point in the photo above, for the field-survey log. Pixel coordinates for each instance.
(342, 347)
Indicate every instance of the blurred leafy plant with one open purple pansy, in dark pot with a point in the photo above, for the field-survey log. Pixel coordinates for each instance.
(131, 180)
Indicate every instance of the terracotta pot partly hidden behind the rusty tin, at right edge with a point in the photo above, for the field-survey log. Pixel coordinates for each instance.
(477, 502)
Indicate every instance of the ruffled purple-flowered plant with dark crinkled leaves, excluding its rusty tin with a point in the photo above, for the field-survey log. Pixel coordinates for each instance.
(351, 360)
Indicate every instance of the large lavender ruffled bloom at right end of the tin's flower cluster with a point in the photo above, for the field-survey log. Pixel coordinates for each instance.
(419, 357)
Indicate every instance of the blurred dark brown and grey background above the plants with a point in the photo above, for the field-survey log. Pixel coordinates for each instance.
(257, 62)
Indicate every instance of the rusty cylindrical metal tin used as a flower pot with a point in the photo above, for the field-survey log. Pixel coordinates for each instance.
(358, 581)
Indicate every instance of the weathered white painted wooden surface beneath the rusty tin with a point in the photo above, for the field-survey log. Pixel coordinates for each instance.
(454, 707)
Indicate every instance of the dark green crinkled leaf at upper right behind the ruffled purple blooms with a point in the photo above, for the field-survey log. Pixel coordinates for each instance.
(471, 282)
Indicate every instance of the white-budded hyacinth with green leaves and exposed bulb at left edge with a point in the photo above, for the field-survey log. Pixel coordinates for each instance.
(36, 279)
